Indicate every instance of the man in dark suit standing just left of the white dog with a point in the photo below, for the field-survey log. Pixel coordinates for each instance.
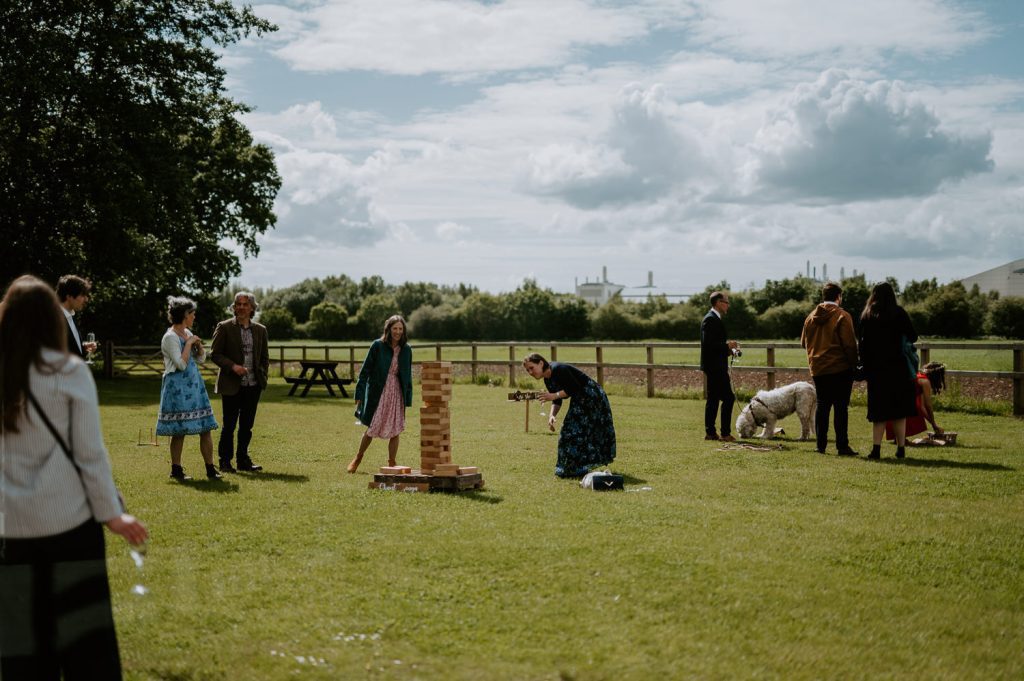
(715, 354)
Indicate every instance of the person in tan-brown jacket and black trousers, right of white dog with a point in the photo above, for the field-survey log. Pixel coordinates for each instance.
(832, 355)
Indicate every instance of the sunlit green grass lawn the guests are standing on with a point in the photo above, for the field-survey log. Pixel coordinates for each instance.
(712, 565)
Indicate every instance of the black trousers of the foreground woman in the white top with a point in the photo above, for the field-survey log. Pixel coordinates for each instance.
(56, 614)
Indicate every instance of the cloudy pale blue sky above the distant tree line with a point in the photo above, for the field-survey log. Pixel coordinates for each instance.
(452, 141)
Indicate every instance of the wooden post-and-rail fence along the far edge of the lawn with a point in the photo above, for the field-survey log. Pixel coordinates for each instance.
(148, 359)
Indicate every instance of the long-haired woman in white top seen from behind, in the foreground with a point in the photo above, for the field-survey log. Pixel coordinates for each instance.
(56, 490)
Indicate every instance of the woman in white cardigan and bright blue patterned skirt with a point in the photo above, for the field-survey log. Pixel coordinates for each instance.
(185, 404)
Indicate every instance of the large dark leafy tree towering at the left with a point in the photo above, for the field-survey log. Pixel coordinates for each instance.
(121, 158)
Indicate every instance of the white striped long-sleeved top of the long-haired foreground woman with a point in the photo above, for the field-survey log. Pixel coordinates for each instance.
(41, 494)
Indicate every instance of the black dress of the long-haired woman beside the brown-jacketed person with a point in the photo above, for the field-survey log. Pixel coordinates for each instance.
(890, 382)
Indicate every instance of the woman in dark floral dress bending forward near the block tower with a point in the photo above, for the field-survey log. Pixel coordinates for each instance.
(588, 437)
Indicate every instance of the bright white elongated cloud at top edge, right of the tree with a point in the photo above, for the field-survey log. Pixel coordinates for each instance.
(415, 37)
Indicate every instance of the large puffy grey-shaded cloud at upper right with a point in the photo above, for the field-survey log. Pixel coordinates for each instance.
(844, 140)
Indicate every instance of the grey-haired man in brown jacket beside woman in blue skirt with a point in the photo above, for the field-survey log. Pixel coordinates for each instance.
(240, 350)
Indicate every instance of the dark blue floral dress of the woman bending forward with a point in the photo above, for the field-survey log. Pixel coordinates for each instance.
(588, 437)
